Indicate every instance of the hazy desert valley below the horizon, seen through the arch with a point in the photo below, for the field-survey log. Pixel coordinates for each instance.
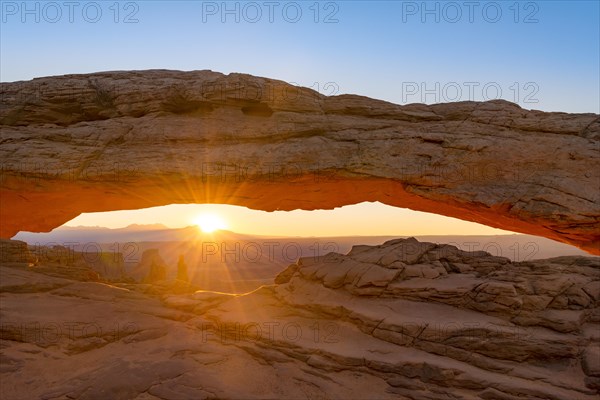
(237, 263)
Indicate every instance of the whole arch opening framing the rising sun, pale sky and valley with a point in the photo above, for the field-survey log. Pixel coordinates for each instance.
(234, 249)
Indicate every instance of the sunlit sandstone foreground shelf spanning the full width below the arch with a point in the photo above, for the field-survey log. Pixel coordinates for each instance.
(405, 320)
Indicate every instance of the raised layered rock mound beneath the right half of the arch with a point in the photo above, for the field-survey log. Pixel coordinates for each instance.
(523, 292)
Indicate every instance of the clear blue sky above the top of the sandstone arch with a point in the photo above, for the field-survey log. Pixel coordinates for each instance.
(377, 48)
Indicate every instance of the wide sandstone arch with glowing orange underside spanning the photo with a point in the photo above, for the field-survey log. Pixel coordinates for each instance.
(128, 140)
